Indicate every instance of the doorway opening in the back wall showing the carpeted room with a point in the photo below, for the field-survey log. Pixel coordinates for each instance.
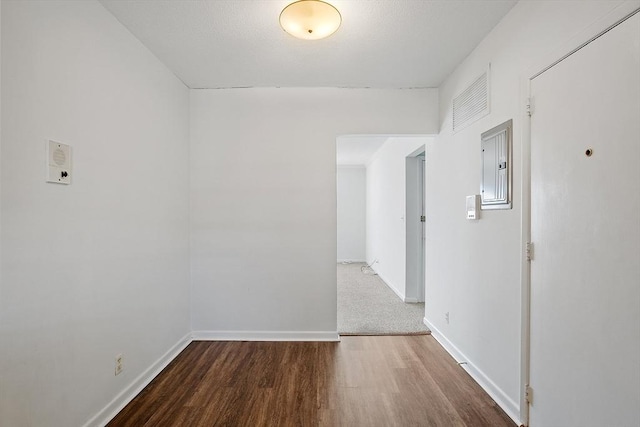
(380, 240)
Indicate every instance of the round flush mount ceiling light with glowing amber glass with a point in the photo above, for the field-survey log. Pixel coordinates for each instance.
(310, 19)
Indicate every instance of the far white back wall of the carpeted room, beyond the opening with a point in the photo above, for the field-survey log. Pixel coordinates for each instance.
(351, 187)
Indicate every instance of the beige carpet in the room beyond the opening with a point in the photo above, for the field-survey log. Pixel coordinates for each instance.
(367, 306)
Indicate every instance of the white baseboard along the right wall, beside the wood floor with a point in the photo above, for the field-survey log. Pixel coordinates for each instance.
(505, 402)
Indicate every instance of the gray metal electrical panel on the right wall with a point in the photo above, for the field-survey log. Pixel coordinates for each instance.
(495, 186)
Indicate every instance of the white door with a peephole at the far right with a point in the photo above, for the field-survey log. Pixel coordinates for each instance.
(585, 226)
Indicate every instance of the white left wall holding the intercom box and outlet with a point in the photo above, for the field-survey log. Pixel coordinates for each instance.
(99, 267)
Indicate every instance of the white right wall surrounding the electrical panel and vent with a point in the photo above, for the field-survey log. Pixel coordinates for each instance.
(473, 267)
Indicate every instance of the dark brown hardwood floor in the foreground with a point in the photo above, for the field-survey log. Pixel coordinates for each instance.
(361, 381)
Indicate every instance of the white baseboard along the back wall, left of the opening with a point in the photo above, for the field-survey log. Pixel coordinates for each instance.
(265, 336)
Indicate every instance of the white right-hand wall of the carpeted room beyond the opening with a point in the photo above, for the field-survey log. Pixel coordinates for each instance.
(386, 210)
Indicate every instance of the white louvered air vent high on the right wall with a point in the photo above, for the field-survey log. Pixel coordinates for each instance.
(472, 103)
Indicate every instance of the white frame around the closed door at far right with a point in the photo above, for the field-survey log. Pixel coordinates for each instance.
(615, 17)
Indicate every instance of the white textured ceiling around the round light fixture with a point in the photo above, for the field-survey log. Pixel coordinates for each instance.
(239, 43)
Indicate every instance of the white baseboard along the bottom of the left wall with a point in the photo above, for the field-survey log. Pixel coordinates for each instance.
(127, 395)
